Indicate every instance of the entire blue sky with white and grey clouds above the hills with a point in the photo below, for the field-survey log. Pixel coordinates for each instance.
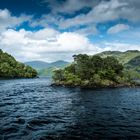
(51, 30)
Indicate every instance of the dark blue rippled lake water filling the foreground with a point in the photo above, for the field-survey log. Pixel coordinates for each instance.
(33, 110)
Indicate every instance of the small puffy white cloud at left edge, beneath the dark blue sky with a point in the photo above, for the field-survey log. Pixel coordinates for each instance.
(9, 21)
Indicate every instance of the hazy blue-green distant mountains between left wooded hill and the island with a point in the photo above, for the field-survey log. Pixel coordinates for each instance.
(46, 69)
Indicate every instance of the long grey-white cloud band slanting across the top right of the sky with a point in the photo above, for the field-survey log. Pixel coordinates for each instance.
(101, 11)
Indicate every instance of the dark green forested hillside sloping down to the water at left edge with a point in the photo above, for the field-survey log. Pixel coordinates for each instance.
(10, 68)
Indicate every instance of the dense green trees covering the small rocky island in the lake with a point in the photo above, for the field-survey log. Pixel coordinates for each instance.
(92, 71)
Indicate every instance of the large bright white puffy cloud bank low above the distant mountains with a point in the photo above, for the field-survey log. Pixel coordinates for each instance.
(45, 44)
